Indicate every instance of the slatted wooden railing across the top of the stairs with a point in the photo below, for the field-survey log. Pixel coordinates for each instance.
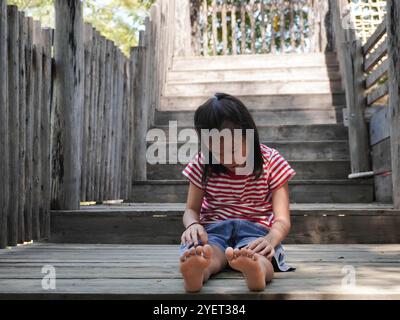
(228, 27)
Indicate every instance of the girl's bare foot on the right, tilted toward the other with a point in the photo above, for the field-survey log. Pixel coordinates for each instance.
(250, 264)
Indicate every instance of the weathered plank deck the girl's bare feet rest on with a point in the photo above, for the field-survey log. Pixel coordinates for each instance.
(151, 271)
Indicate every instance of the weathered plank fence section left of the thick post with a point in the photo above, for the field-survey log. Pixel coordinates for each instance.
(25, 89)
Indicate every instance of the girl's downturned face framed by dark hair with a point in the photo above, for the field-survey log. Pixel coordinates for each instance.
(232, 153)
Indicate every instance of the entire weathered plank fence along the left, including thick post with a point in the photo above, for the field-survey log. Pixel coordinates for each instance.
(74, 113)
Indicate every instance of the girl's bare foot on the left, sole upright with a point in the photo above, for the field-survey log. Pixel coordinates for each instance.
(193, 265)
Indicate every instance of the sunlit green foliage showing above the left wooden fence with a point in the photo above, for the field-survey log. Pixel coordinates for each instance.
(118, 20)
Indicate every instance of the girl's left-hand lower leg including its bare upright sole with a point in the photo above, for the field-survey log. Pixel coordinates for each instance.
(198, 264)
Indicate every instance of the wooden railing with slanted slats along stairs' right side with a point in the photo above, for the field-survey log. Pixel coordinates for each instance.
(371, 79)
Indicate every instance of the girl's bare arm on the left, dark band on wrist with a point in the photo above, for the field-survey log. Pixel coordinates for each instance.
(192, 215)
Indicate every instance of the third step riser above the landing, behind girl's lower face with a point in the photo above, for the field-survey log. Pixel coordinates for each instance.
(293, 150)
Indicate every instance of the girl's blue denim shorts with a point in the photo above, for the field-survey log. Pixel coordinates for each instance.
(238, 233)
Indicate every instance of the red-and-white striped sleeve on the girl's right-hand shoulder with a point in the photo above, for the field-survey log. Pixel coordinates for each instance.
(279, 171)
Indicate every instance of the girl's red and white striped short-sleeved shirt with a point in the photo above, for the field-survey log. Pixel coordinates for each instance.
(231, 196)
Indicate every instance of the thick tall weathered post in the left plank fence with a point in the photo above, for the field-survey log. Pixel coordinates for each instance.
(66, 162)
